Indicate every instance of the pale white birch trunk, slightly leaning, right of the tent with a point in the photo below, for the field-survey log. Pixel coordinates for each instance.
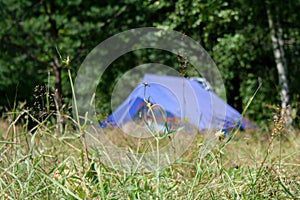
(281, 65)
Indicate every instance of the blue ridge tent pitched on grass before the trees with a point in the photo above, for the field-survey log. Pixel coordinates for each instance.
(181, 99)
